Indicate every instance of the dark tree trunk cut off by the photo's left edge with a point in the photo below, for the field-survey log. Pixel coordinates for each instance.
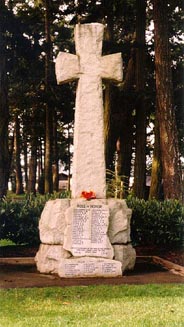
(4, 112)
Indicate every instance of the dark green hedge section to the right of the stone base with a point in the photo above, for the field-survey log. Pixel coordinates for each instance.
(156, 223)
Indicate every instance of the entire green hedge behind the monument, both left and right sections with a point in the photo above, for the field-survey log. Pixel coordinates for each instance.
(153, 222)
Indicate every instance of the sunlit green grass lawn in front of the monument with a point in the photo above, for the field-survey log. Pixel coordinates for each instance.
(103, 306)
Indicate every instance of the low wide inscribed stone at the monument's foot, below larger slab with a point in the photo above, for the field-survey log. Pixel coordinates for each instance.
(89, 267)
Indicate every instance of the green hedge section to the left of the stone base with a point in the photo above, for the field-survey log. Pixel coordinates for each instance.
(19, 219)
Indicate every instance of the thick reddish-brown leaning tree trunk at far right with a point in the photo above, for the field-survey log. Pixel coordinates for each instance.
(165, 109)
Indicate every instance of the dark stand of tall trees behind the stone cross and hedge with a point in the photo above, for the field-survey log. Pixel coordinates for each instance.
(35, 113)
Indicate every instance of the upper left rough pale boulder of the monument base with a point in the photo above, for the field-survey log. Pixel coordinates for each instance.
(52, 221)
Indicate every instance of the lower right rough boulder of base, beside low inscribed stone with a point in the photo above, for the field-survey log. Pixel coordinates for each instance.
(126, 255)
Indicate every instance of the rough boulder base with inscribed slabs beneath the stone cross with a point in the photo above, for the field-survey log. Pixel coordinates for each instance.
(101, 224)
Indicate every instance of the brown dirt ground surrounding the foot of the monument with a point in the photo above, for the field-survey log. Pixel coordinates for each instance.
(18, 270)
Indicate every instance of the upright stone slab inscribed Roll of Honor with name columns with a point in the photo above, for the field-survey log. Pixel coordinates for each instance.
(86, 231)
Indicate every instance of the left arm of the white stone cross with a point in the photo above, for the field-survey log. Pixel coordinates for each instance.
(67, 67)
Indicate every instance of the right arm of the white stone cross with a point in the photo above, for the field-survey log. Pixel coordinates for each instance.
(111, 67)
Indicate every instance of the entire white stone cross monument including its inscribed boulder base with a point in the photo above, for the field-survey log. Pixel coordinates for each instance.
(87, 235)
